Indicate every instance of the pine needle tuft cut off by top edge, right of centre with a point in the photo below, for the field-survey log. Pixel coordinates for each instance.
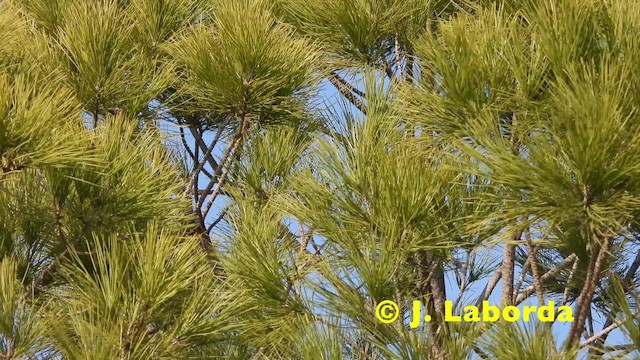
(361, 32)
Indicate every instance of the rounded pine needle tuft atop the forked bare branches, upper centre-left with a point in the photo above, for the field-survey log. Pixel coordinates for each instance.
(232, 68)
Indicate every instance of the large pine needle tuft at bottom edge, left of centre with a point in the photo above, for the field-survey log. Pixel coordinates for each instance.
(151, 296)
